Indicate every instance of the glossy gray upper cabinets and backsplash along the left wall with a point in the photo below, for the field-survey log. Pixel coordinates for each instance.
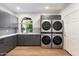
(8, 23)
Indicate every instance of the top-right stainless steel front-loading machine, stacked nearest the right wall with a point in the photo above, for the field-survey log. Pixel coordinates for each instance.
(57, 25)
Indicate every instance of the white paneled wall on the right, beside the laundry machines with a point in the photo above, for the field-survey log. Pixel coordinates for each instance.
(70, 15)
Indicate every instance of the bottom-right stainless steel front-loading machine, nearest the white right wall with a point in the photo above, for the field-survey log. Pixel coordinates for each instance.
(57, 40)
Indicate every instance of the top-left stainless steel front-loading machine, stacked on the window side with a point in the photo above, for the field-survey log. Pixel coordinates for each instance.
(45, 25)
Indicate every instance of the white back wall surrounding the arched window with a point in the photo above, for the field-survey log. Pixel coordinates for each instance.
(36, 20)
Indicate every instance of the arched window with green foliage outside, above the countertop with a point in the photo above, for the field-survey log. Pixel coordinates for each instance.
(26, 25)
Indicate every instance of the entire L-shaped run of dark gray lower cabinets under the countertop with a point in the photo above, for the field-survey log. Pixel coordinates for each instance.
(9, 43)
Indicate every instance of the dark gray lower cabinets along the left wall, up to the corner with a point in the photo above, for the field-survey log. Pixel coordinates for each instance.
(7, 44)
